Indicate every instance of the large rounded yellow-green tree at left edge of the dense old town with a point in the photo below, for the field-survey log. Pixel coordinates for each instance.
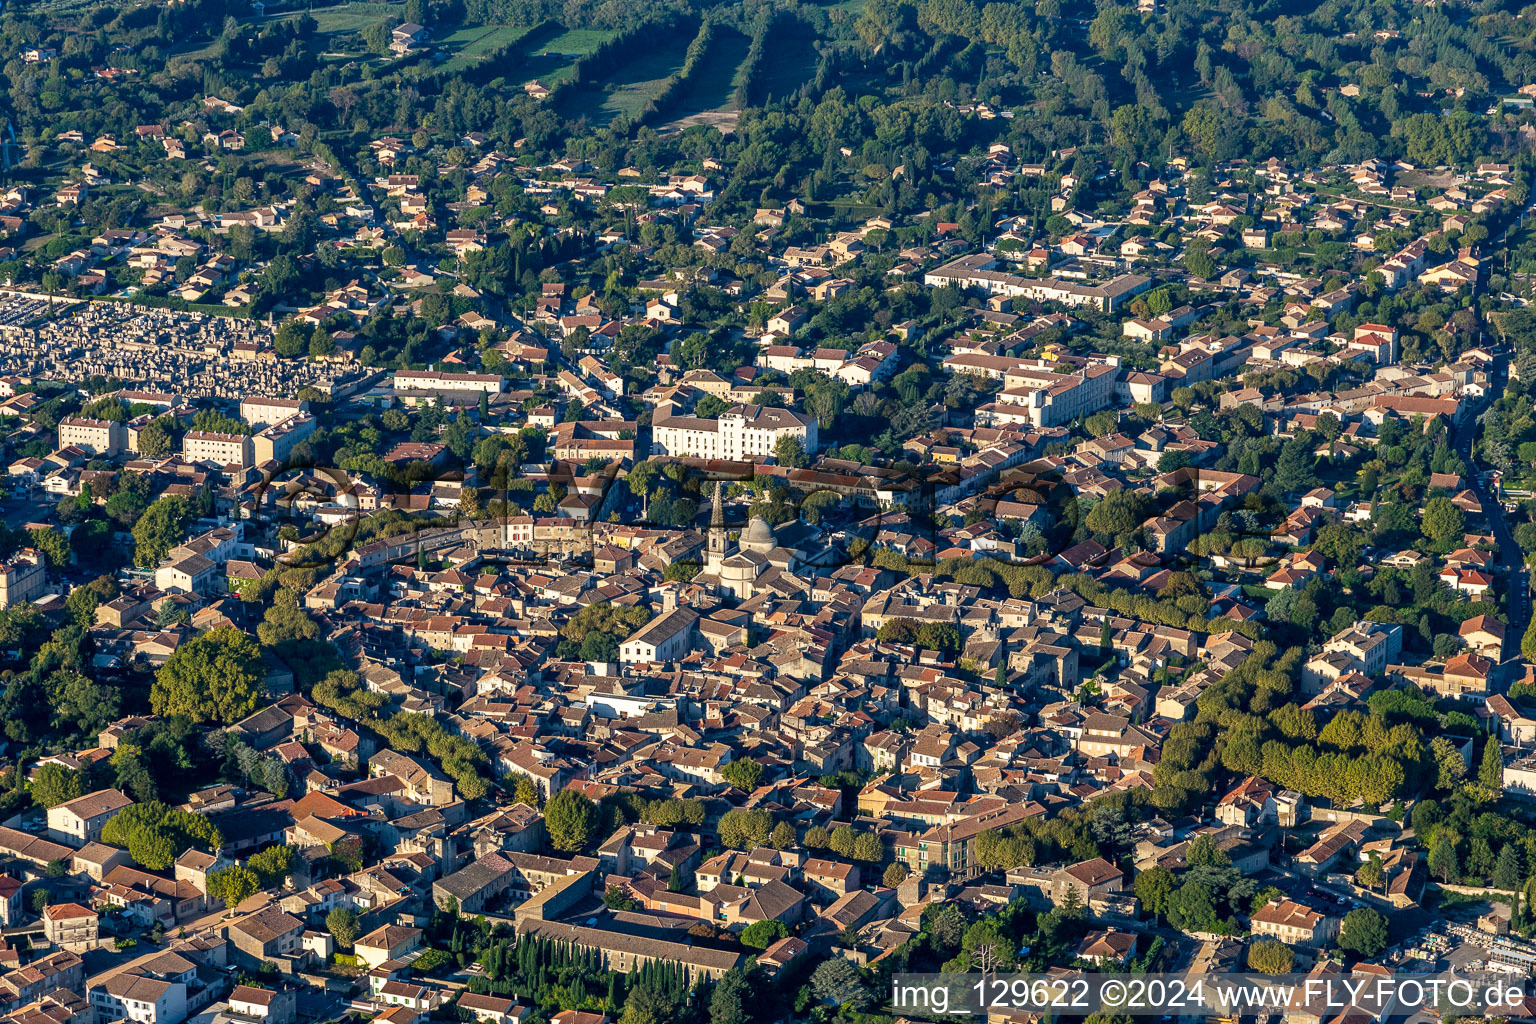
(214, 678)
